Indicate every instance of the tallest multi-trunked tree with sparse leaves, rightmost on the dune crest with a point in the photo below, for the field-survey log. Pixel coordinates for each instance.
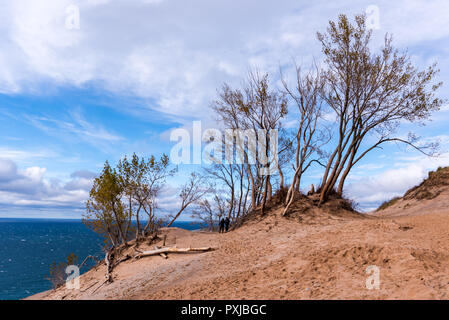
(370, 95)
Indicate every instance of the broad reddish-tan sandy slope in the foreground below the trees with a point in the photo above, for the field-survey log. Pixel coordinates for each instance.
(320, 256)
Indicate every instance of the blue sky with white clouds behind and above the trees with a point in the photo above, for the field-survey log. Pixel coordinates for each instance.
(86, 81)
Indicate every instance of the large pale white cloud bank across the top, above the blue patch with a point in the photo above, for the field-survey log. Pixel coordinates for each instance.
(175, 54)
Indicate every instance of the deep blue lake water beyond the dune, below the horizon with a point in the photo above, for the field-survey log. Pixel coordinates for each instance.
(29, 246)
